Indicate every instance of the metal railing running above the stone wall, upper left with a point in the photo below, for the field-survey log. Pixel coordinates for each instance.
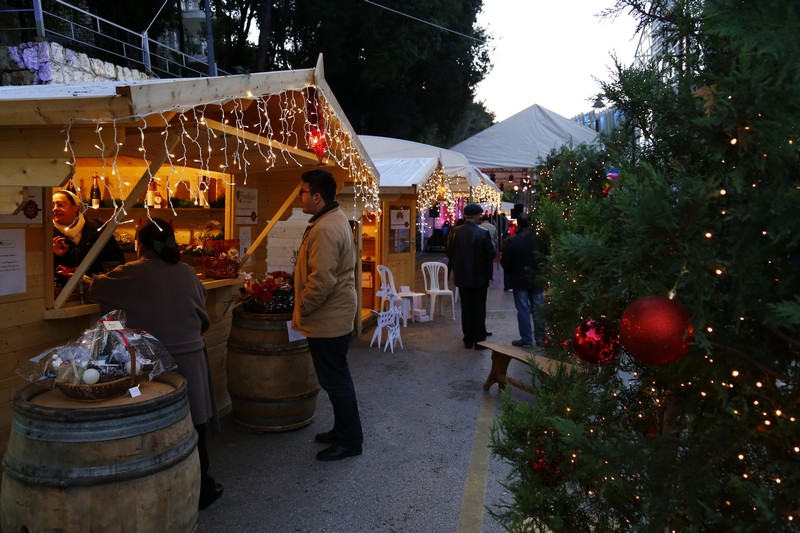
(75, 28)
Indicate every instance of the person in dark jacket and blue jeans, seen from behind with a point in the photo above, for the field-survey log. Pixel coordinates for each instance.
(521, 262)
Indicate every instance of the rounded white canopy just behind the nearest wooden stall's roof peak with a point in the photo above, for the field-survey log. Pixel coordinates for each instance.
(455, 164)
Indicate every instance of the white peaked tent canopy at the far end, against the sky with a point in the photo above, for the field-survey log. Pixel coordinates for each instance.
(520, 140)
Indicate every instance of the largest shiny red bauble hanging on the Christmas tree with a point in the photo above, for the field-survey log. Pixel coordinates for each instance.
(656, 330)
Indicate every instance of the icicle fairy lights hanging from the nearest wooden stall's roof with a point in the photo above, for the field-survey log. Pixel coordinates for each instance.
(246, 148)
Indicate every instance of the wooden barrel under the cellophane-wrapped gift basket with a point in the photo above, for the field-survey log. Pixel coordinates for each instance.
(123, 464)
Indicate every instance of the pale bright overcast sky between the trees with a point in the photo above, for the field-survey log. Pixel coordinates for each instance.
(549, 53)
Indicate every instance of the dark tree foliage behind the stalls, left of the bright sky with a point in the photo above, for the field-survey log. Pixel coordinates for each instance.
(393, 76)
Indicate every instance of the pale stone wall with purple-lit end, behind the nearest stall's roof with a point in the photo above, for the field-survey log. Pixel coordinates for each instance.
(43, 63)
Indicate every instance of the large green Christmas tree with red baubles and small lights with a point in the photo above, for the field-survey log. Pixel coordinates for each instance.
(674, 286)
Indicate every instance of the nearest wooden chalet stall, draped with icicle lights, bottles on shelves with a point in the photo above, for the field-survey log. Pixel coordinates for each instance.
(246, 139)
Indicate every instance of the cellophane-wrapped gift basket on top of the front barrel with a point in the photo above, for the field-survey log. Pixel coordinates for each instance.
(103, 363)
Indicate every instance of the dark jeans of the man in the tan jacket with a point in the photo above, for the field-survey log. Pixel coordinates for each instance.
(330, 362)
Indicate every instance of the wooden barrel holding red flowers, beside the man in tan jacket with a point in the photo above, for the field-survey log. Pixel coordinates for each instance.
(271, 380)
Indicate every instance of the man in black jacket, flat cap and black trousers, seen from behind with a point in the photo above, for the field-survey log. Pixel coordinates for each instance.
(470, 254)
